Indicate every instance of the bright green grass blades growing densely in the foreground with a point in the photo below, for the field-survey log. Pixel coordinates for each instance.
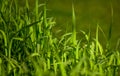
(28, 48)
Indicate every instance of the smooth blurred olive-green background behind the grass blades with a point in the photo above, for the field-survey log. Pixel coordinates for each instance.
(89, 13)
